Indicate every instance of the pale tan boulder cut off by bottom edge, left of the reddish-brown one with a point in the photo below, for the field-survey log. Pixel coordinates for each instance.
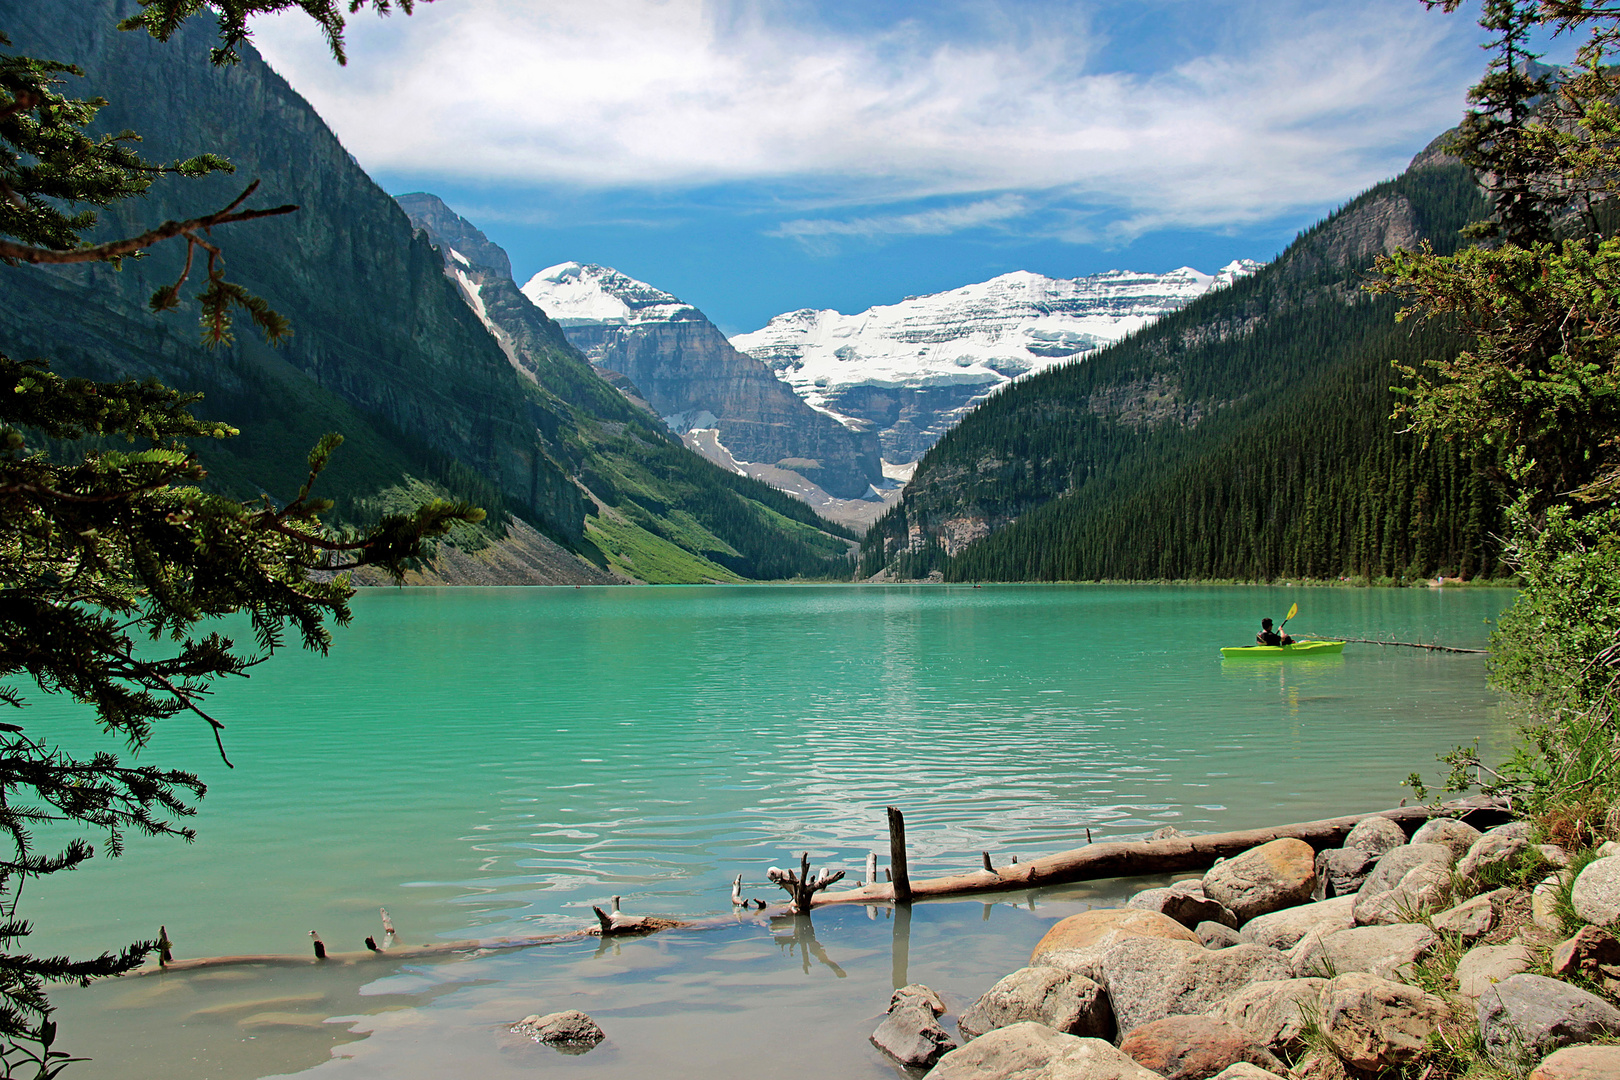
(1033, 1052)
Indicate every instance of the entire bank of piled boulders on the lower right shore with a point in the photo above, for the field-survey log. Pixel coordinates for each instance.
(1443, 955)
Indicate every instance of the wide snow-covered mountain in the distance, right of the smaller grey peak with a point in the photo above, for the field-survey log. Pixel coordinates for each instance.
(914, 368)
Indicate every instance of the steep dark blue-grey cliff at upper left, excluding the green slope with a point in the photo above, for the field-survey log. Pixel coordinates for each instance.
(375, 323)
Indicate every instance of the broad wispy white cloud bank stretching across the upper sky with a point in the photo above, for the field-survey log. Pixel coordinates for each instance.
(1303, 106)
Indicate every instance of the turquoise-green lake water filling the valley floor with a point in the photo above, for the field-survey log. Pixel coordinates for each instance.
(495, 762)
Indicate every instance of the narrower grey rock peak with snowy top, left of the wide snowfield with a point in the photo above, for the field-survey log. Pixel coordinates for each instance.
(727, 406)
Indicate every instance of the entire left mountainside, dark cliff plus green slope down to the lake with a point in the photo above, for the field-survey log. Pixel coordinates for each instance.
(383, 347)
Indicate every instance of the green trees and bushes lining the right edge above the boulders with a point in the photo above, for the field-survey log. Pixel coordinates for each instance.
(1540, 386)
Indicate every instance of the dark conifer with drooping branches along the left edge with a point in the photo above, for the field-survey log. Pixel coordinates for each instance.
(113, 559)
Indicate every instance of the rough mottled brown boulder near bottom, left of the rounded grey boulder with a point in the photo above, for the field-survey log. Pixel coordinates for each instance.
(1376, 1024)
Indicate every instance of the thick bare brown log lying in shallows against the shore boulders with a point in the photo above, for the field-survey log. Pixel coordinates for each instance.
(1136, 859)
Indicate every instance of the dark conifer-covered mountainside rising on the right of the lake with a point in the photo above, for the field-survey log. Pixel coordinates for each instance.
(1247, 436)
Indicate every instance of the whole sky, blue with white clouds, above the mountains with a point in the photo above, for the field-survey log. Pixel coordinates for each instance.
(762, 156)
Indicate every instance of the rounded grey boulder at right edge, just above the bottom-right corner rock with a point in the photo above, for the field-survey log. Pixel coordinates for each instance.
(1525, 1018)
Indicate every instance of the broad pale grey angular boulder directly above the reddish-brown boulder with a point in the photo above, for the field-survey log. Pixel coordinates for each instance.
(1153, 979)
